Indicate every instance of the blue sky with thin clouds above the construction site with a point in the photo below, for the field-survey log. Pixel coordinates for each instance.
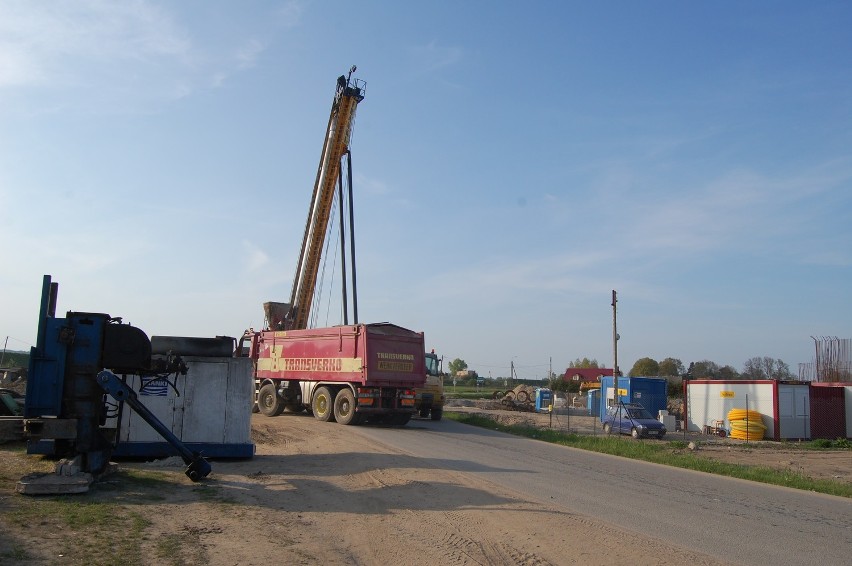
(514, 163)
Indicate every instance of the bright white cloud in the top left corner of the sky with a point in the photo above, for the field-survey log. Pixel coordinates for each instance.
(116, 55)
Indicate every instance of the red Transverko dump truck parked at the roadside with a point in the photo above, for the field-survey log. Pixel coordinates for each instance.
(349, 373)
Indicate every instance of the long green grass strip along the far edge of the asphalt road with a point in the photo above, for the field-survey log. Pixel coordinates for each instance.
(668, 453)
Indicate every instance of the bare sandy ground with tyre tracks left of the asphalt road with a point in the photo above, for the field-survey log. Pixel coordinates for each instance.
(329, 498)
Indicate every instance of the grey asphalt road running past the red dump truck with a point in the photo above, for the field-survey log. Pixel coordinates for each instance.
(732, 520)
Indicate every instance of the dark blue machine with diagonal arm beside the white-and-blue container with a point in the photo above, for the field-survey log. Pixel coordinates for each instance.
(66, 404)
